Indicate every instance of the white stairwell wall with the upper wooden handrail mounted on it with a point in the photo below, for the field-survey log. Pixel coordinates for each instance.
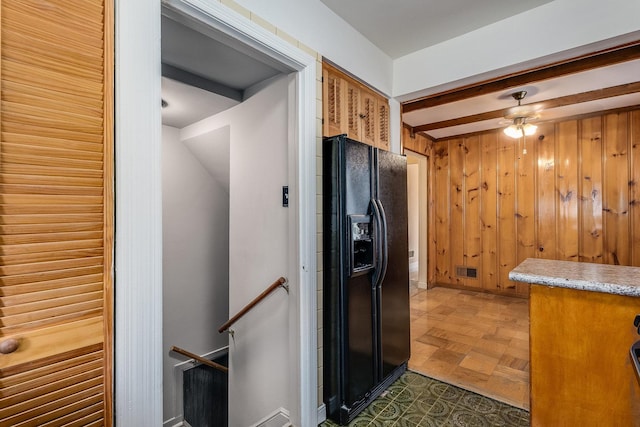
(258, 250)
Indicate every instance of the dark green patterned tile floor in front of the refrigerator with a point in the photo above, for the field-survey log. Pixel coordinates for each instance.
(416, 400)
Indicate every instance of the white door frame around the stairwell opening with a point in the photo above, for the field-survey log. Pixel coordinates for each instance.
(138, 234)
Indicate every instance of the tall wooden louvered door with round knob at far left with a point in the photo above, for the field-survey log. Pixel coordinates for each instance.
(56, 212)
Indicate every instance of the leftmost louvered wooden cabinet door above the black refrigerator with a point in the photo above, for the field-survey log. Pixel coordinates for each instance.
(334, 104)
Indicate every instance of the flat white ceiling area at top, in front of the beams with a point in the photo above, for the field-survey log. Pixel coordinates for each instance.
(401, 27)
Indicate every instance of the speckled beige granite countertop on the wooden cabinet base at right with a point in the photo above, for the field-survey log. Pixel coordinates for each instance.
(605, 278)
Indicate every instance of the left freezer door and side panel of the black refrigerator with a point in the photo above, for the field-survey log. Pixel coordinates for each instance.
(349, 337)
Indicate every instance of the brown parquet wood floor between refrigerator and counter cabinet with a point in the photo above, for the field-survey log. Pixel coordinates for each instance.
(473, 340)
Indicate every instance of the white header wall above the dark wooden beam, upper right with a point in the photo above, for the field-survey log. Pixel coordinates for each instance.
(558, 29)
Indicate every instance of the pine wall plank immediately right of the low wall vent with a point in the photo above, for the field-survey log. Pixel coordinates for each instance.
(488, 211)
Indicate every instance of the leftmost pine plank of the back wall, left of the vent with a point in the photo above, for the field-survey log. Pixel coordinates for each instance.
(442, 212)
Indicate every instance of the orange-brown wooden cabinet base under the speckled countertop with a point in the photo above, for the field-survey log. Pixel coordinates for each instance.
(581, 372)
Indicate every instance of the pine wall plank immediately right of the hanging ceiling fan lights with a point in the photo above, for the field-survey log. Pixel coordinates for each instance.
(546, 196)
